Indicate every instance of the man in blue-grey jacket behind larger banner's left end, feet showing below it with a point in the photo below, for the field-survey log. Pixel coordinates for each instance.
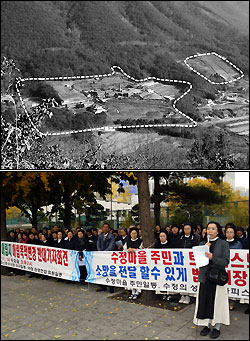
(106, 242)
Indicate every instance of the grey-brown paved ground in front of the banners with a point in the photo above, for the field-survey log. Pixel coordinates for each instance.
(34, 309)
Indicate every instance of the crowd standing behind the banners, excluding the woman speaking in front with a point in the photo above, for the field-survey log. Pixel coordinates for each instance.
(106, 238)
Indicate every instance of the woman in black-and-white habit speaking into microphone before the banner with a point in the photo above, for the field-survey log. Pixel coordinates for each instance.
(212, 308)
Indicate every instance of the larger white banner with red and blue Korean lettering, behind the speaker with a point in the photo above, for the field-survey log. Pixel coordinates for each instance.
(162, 270)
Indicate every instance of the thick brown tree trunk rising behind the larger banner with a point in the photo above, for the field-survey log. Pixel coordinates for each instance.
(145, 221)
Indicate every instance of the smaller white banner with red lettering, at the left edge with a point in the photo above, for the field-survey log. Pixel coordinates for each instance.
(44, 260)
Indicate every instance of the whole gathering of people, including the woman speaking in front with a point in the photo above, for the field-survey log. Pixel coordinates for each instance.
(212, 304)
